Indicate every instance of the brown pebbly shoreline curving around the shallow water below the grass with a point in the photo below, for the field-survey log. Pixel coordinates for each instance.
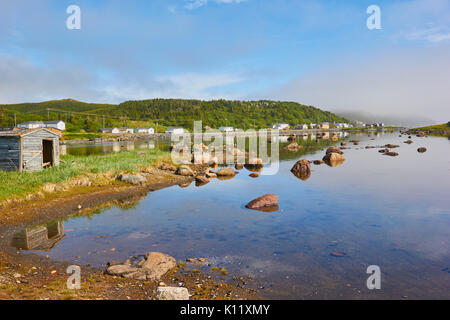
(29, 276)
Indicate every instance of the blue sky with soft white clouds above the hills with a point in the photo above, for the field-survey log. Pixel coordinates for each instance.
(316, 52)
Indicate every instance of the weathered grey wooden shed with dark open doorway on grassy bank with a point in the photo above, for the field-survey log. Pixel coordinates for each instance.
(28, 150)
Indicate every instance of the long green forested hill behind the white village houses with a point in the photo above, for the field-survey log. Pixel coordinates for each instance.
(168, 112)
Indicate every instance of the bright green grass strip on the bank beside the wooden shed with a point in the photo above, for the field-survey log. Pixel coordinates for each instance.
(17, 184)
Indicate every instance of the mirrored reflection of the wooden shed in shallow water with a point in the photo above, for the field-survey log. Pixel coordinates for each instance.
(41, 237)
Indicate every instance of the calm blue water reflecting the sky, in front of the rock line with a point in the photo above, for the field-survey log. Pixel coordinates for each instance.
(379, 210)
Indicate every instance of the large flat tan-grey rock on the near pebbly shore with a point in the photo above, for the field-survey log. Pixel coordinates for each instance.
(151, 266)
